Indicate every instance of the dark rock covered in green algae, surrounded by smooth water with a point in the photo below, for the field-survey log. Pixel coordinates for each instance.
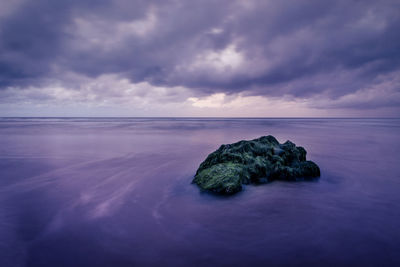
(257, 161)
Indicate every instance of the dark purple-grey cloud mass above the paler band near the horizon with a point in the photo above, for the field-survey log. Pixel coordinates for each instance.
(273, 48)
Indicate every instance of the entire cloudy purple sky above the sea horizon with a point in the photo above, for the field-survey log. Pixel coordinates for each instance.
(244, 58)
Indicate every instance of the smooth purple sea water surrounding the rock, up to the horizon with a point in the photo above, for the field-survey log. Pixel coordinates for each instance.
(117, 192)
